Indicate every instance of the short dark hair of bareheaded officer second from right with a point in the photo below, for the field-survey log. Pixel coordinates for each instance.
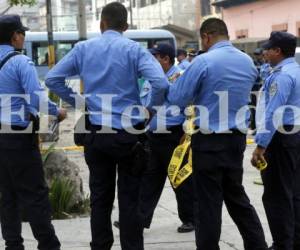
(214, 26)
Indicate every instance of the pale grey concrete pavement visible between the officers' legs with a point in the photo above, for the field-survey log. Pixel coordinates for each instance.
(75, 234)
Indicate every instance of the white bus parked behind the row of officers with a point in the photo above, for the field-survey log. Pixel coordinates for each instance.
(36, 44)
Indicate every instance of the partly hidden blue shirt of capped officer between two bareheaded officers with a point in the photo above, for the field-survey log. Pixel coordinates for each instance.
(169, 120)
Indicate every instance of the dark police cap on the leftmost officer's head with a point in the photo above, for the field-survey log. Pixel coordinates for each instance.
(11, 23)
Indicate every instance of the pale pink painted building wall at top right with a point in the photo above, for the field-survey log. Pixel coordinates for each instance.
(258, 17)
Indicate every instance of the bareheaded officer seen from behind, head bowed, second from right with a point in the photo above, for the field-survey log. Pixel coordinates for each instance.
(219, 145)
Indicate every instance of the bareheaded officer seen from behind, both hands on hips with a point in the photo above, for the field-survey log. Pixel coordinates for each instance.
(111, 65)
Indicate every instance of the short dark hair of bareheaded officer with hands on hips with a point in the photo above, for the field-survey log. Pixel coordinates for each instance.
(115, 14)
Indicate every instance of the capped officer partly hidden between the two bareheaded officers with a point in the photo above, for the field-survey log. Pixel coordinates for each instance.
(162, 145)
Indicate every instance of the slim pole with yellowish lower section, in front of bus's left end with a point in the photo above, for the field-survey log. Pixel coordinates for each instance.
(51, 50)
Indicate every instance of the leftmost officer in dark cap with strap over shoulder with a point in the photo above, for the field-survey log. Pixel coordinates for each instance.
(22, 185)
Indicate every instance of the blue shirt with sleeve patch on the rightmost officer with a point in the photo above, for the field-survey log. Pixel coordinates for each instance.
(282, 88)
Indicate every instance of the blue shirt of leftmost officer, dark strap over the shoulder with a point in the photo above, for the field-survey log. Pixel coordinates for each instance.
(19, 77)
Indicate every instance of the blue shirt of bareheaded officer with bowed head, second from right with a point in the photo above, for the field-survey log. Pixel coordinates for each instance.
(222, 69)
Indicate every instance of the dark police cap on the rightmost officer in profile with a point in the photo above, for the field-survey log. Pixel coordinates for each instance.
(282, 40)
